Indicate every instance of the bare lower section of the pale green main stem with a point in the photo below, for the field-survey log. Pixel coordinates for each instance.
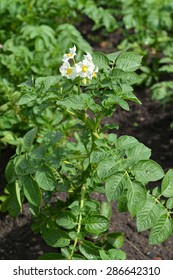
(83, 190)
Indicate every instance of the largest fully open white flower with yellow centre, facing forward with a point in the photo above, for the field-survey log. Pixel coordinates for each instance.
(85, 69)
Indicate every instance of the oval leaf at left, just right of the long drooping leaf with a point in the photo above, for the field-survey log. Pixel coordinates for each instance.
(46, 179)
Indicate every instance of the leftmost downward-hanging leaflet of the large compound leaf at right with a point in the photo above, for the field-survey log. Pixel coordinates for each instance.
(115, 186)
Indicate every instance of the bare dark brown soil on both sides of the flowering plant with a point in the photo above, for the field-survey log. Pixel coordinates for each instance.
(150, 124)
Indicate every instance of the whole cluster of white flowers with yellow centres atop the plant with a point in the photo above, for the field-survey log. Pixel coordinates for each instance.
(83, 69)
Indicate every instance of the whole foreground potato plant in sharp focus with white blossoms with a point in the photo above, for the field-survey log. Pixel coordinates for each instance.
(60, 173)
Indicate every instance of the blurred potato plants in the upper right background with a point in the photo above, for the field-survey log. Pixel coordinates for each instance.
(146, 26)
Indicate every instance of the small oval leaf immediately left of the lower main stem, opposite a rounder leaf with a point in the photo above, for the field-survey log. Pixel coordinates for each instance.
(66, 220)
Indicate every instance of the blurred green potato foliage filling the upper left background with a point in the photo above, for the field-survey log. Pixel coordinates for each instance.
(33, 36)
